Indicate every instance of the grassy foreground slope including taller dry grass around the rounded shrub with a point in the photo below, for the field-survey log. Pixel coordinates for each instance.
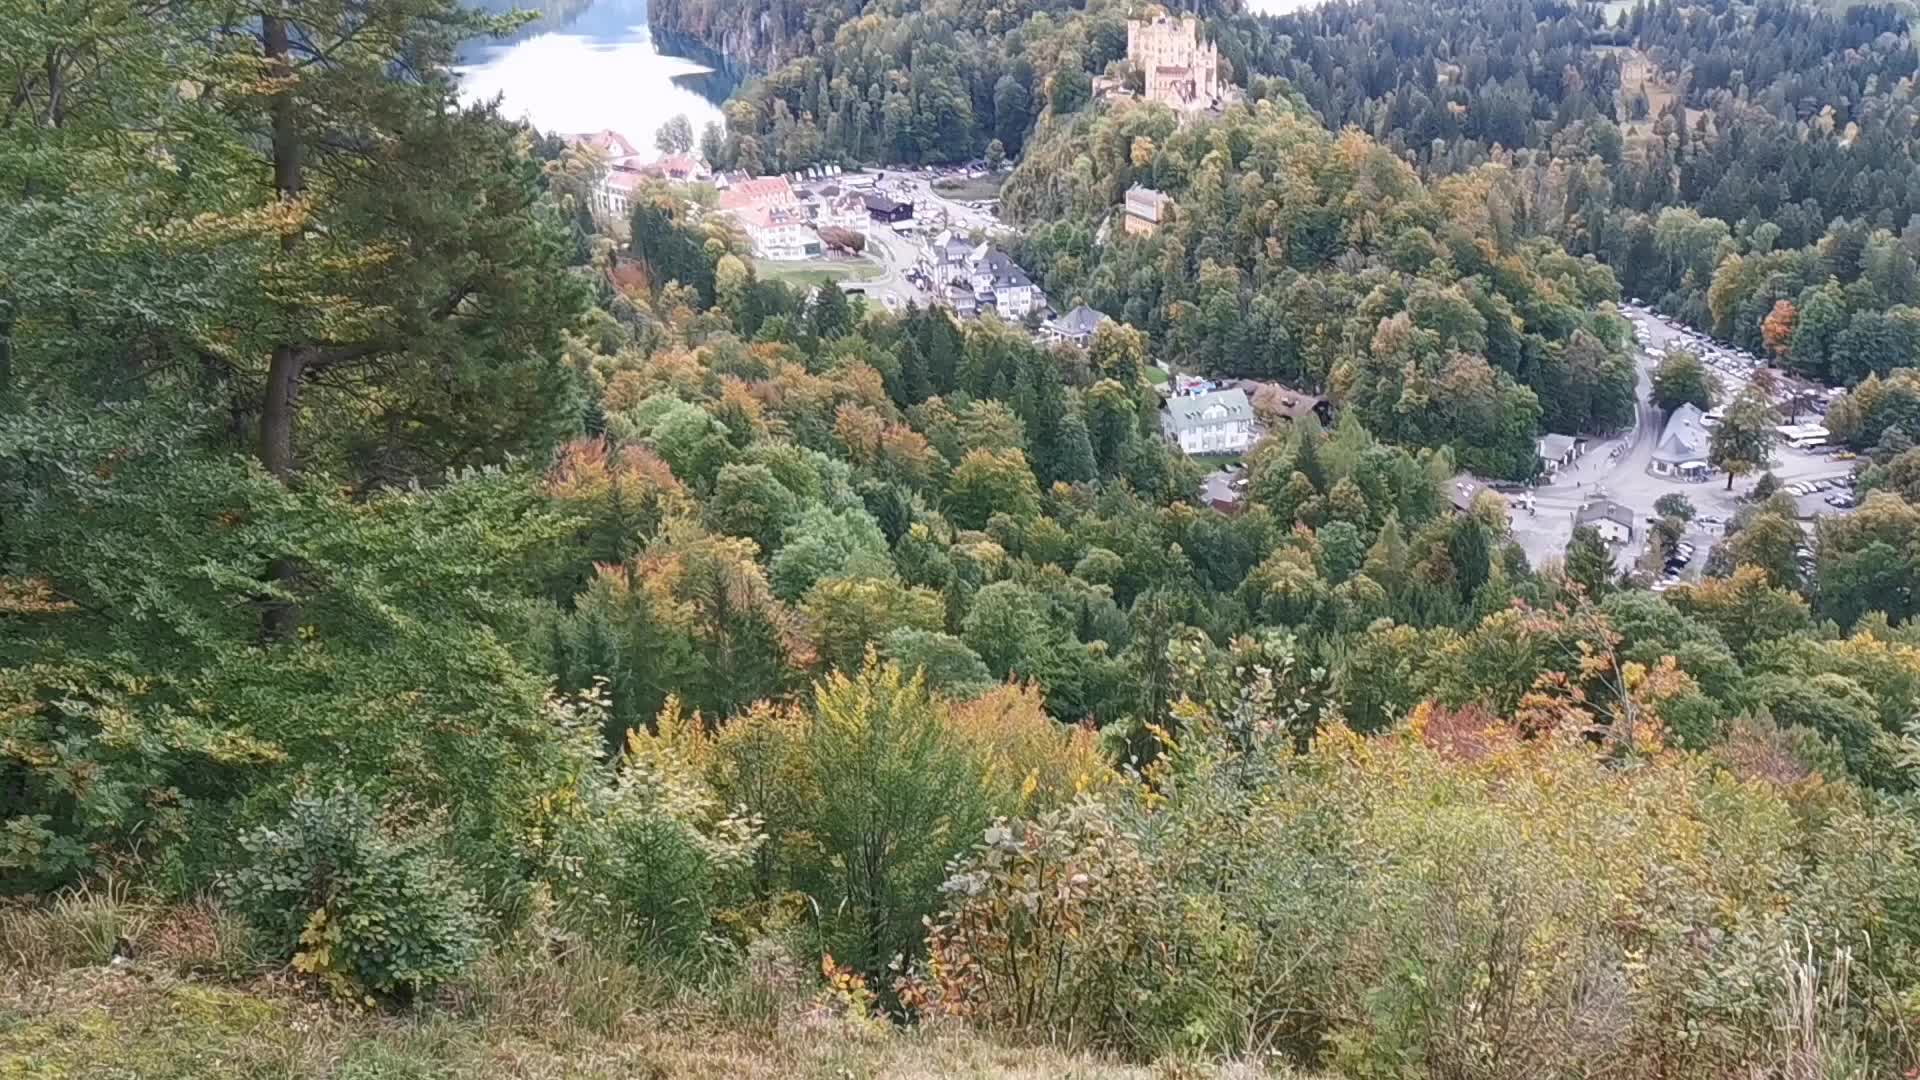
(199, 1004)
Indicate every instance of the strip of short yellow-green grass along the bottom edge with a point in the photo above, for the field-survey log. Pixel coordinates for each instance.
(103, 1023)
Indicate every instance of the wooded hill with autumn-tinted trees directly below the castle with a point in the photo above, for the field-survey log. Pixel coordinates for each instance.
(1326, 262)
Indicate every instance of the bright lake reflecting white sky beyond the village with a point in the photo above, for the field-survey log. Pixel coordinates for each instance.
(590, 64)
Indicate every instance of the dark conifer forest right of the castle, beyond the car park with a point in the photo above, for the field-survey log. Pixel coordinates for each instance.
(1721, 159)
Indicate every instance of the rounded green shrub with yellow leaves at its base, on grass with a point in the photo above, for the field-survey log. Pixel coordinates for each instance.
(375, 914)
